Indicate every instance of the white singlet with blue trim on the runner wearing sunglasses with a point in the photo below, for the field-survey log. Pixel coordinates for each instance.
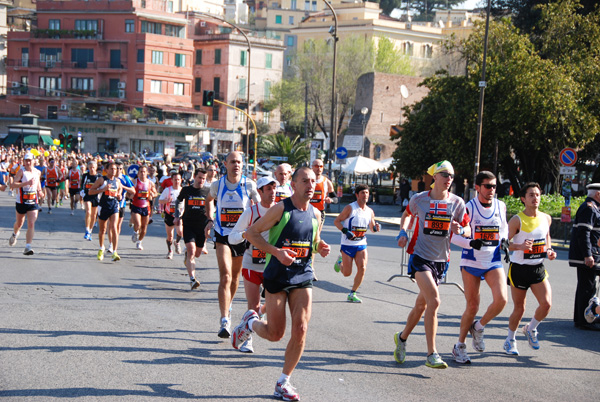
(489, 225)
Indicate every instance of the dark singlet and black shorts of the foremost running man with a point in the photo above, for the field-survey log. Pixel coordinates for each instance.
(296, 230)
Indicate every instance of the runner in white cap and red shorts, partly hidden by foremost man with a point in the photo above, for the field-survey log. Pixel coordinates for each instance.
(253, 262)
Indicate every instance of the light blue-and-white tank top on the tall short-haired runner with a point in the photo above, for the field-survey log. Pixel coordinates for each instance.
(230, 205)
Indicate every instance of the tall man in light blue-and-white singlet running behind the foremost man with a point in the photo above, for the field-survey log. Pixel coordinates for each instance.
(233, 193)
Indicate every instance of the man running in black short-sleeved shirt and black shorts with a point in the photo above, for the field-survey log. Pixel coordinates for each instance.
(195, 221)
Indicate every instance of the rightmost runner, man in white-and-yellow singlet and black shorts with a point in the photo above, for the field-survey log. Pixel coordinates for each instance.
(529, 232)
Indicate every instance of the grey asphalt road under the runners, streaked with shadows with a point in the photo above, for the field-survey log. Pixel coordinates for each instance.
(73, 327)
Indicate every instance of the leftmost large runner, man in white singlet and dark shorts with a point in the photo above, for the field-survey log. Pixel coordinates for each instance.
(29, 191)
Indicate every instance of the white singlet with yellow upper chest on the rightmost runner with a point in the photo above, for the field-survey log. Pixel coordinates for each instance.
(535, 229)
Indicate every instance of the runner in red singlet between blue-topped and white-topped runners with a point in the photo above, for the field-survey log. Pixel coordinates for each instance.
(140, 206)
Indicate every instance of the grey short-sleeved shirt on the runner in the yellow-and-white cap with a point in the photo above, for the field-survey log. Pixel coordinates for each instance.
(433, 224)
